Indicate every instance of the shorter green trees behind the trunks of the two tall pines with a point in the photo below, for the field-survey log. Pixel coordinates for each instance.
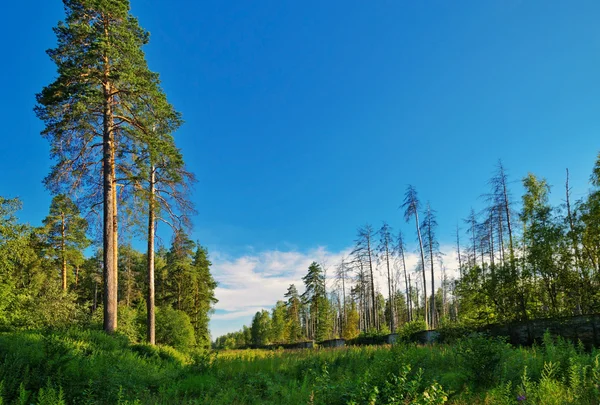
(46, 280)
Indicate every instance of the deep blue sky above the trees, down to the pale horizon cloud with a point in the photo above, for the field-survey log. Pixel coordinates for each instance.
(307, 119)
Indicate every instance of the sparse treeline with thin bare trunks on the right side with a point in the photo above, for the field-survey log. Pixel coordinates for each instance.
(517, 260)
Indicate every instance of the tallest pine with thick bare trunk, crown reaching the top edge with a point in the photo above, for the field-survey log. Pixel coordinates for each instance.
(90, 113)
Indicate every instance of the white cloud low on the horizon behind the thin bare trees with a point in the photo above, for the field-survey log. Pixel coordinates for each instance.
(255, 281)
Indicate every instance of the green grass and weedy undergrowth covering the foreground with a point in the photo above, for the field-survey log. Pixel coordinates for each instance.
(89, 367)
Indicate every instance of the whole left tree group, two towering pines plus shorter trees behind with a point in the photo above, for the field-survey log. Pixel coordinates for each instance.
(116, 174)
